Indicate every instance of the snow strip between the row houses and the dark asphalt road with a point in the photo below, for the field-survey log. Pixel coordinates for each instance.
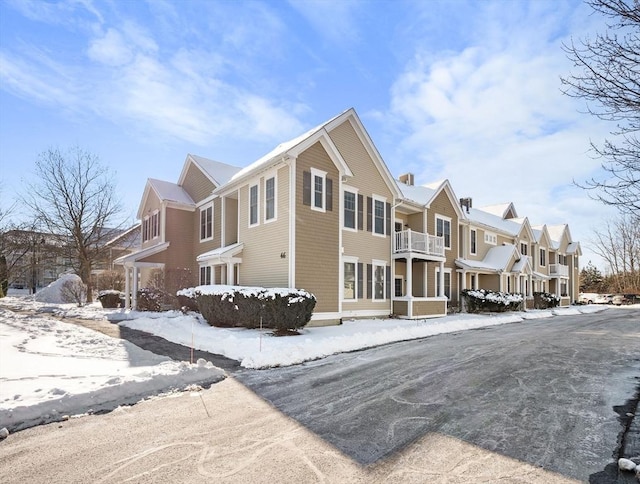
(258, 350)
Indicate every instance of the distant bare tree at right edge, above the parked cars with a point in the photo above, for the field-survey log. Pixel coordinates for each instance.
(618, 243)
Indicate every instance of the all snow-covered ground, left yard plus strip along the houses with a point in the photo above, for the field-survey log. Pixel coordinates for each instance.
(50, 369)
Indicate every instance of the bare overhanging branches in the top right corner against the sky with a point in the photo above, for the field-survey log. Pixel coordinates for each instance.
(607, 76)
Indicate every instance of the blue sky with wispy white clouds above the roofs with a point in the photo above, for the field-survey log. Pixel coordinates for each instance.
(464, 90)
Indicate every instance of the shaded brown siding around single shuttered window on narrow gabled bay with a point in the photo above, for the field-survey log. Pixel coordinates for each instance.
(317, 242)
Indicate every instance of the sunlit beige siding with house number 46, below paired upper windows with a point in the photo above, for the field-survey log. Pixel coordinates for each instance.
(262, 264)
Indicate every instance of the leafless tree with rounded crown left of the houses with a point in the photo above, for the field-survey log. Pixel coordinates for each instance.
(74, 196)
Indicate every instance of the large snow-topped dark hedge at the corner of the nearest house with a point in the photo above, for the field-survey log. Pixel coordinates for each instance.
(283, 309)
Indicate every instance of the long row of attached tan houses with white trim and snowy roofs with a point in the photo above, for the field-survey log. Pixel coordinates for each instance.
(323, 213)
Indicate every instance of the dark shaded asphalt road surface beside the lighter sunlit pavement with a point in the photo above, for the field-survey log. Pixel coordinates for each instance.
(543, 392)
